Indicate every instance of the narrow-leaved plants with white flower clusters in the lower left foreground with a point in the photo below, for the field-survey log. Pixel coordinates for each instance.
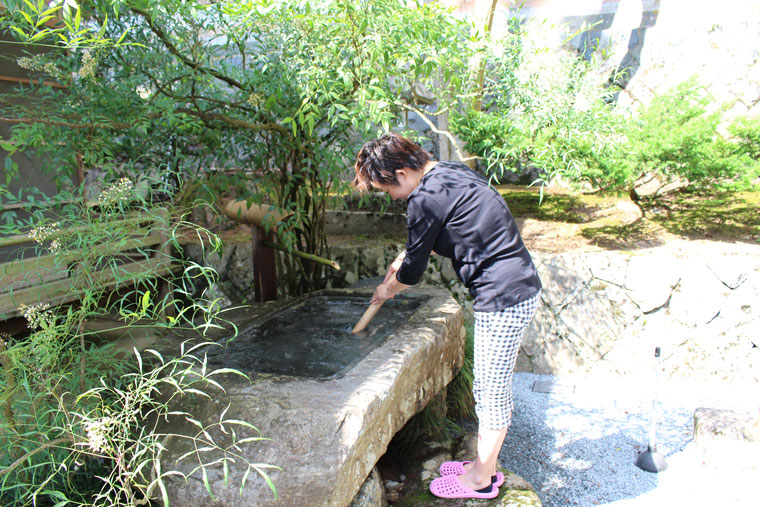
(80, 420)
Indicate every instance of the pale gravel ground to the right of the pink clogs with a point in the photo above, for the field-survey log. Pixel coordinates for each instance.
(577, 445)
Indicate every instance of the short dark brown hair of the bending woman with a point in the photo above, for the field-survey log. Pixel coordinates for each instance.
(379, 160)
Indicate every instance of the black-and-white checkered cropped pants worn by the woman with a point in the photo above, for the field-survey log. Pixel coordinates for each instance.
(497, 341)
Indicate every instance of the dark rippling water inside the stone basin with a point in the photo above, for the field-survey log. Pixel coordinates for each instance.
(312, 338)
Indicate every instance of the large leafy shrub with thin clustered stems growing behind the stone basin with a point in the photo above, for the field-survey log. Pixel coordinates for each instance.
(275, 94)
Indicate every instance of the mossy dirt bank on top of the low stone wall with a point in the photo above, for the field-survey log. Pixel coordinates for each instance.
(560, 221)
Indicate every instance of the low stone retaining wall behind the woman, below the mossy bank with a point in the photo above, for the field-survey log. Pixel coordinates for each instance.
(604, 311)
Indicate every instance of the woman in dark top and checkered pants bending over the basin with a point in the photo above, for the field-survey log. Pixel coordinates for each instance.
(452, 211)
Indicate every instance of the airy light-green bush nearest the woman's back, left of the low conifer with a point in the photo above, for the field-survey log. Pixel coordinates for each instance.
(543, 108)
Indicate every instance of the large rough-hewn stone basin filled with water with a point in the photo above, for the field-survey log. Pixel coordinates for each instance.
(328, 402)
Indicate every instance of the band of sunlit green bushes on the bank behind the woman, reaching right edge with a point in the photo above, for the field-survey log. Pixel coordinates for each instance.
(555, 111)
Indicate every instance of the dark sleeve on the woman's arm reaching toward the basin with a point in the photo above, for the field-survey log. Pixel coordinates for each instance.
(424, 221)
